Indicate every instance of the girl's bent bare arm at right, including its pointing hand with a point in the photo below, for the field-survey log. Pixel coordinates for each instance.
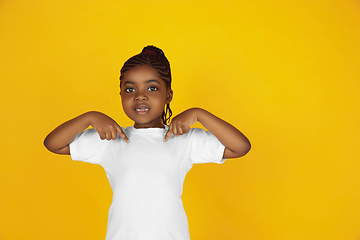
(236, 144)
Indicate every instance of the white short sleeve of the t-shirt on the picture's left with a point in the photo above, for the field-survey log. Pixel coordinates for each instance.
(88, 147)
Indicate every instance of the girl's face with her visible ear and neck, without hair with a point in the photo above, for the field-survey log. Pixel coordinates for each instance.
(143, 96)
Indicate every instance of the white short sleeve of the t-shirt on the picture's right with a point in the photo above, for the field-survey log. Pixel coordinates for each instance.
(205, 147)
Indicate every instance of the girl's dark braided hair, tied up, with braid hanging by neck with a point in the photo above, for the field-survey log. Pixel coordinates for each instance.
(155, 58)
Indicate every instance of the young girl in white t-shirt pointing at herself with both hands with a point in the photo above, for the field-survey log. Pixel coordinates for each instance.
(146, 163)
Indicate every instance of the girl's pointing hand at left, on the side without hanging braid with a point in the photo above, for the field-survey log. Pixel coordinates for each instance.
(105, 126)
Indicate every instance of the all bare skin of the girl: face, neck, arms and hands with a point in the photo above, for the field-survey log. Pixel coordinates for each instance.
(144, 95)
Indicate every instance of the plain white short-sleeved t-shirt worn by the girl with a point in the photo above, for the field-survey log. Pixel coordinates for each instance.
(146, 176)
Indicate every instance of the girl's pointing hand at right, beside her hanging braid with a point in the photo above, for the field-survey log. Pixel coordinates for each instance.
(181, 123)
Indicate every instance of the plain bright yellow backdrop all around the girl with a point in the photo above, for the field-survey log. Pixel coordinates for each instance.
(286, 73)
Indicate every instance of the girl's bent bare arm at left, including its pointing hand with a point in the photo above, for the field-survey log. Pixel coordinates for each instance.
(59, 139)
